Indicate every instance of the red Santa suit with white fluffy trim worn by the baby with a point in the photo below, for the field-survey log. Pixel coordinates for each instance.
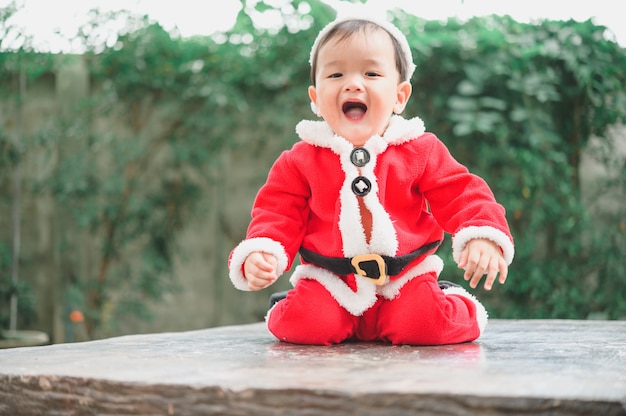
(412, 191)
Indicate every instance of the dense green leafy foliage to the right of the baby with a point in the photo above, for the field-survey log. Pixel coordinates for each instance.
(517, 104)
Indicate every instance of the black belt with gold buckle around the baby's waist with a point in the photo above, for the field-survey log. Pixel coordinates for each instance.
(372, 266)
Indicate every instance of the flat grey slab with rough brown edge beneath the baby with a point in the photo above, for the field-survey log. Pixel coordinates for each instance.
(538, 367)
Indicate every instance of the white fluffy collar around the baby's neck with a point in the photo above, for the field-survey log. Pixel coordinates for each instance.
(400, 130)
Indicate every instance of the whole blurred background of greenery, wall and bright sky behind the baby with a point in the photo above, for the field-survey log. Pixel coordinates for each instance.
(134, 136)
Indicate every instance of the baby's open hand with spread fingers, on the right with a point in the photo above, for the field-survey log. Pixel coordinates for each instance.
(482, 256)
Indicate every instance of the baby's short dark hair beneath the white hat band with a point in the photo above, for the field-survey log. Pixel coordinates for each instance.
(345, 30)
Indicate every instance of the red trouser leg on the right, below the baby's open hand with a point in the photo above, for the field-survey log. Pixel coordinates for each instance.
(423, 315)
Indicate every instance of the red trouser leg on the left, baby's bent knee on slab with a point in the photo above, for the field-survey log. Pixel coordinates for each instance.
(310, 315)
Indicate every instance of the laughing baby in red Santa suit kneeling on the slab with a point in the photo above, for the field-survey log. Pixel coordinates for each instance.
(365, 198)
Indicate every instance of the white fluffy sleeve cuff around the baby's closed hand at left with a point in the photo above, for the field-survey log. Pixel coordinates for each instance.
(243, 250)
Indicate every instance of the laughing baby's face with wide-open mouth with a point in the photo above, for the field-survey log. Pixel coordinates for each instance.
(358, 86)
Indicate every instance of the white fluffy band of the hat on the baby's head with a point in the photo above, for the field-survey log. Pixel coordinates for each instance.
(382, 23)
